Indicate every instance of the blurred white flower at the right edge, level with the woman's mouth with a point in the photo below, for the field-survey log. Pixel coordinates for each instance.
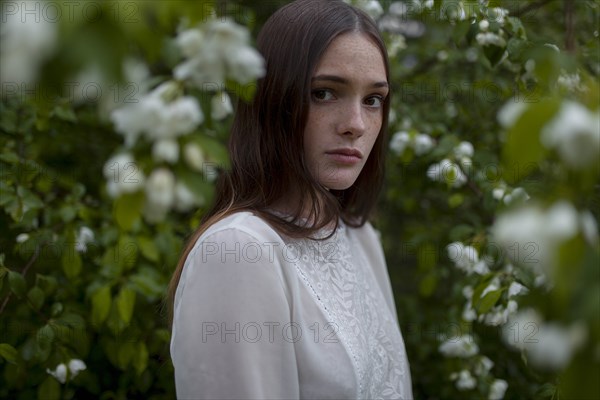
(575, 134)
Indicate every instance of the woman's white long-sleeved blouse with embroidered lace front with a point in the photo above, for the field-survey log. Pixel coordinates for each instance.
(262, 316)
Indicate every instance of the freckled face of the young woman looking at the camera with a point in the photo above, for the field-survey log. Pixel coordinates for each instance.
(346, 110)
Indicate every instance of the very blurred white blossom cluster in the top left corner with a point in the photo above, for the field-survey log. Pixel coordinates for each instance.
(26, 40)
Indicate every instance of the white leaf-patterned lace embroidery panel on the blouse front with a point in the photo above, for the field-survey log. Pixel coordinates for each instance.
(344, 287)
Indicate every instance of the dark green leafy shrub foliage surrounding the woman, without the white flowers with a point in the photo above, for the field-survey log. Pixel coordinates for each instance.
(106, 305)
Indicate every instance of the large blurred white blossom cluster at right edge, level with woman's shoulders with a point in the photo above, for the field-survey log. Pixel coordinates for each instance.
(538, 233)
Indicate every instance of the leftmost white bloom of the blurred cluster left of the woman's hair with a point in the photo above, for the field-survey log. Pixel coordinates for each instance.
(123, 175)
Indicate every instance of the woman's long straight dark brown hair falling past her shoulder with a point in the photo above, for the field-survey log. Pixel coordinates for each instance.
(267, 135)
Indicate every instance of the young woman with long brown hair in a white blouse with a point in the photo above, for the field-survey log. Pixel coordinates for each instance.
(283, 292)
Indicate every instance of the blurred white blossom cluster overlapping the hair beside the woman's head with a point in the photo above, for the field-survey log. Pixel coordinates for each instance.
(215, 50)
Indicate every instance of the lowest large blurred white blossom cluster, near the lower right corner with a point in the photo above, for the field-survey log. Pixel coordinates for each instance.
(547, 345)
